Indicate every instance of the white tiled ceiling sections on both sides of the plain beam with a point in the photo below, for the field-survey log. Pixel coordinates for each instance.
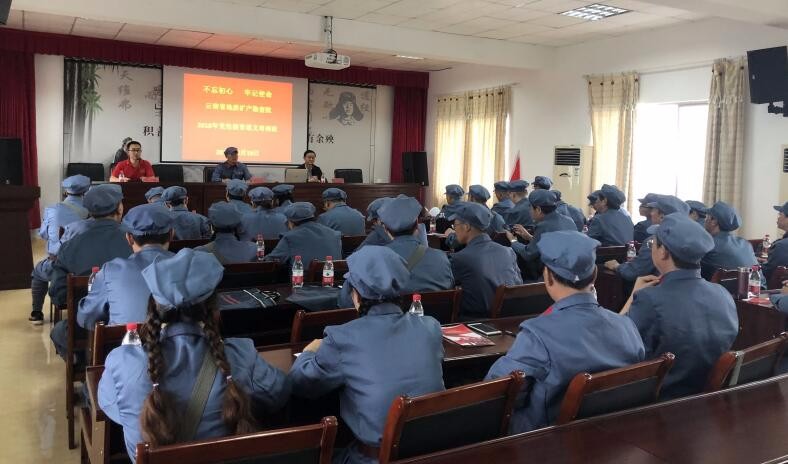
(534, 22)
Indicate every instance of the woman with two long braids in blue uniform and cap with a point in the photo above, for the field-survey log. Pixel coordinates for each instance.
(147, 389)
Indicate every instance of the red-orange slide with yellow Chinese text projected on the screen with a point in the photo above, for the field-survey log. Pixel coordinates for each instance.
(254, 116)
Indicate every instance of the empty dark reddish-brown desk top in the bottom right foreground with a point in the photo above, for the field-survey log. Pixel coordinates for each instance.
(745, 424)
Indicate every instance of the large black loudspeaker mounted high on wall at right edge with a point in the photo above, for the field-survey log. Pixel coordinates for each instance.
(768, 74)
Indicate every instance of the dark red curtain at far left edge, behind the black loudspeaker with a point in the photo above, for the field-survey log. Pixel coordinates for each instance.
(18, 114)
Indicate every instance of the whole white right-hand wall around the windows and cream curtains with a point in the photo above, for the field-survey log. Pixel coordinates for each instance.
(550, 107)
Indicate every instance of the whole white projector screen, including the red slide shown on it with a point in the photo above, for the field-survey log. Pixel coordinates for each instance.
(204, 112)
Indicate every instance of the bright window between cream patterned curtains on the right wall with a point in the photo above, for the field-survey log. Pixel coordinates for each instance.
(669, 149)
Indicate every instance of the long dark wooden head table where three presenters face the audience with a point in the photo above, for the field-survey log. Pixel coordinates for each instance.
(203, 195)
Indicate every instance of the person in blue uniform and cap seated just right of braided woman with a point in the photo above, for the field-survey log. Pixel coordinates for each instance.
(375, 358)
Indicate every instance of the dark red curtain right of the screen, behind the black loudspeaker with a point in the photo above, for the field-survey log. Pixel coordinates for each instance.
(410, 123)
